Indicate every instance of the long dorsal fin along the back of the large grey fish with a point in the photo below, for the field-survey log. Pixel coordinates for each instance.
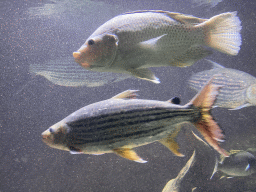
(182, 18)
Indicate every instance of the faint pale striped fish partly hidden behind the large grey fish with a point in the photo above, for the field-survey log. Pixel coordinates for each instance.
(66, 72)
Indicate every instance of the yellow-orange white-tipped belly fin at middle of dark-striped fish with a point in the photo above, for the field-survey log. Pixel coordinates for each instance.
(129, 154)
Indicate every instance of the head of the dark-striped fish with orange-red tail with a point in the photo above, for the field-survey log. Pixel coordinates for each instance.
(55, 136)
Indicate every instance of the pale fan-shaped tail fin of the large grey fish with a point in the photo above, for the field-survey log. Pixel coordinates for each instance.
(223, 33)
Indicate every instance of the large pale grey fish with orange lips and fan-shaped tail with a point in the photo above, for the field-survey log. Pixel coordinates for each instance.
(133, 42)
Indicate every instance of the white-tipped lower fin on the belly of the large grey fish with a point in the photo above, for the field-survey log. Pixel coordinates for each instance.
(144, 74)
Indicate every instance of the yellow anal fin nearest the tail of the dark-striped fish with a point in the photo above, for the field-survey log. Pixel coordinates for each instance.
(171, 144)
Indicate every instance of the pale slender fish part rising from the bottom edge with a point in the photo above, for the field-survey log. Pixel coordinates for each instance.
(174, 184)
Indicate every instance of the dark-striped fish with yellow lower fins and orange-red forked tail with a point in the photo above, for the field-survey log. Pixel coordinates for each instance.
(118, 124)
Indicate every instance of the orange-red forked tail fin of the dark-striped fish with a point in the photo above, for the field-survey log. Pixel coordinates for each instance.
(210, 130)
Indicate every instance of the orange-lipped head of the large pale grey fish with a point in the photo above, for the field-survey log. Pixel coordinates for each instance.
(97, 52)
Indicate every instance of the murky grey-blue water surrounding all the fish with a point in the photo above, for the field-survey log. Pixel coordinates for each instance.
(41, 31)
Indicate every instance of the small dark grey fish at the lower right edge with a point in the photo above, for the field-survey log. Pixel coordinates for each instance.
(239, 163)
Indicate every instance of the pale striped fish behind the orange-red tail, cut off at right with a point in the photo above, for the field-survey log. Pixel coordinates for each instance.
(238, 88)
